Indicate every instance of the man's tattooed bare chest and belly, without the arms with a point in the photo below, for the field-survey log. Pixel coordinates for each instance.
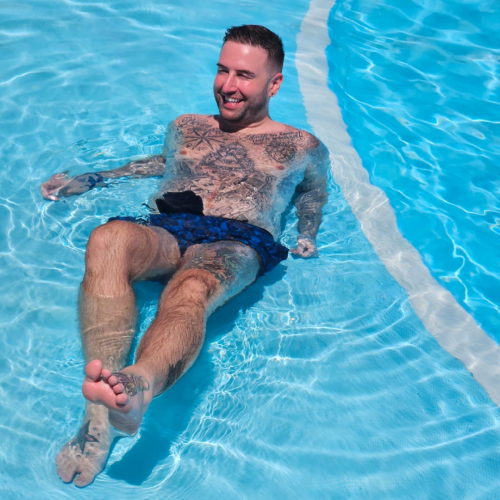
(236, 175)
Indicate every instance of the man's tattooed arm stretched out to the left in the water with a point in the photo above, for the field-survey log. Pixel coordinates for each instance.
(62, 185)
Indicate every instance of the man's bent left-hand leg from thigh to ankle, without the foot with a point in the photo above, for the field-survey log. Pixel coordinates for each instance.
(118, 254)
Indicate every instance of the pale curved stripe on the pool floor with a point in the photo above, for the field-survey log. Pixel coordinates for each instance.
(455, 330)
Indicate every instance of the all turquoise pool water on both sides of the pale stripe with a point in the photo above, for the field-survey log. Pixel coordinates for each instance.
(317, 382)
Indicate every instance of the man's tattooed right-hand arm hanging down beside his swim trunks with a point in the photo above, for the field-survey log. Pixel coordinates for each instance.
(311, 196)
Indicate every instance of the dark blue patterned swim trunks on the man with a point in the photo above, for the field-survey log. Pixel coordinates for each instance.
(192, 229)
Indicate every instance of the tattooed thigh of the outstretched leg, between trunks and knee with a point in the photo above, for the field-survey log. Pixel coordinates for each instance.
(233, 264)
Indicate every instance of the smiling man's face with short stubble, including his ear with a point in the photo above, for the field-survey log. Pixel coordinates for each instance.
(243, 83)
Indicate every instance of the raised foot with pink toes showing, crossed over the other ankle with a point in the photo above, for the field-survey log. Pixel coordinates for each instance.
(126, 394)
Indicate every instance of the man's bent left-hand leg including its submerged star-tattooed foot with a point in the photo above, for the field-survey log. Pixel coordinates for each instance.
(118, 253)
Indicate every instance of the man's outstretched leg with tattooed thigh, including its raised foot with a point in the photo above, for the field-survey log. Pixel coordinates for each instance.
(209, 275)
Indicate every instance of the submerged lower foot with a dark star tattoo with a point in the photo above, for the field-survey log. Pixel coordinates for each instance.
(87, 452)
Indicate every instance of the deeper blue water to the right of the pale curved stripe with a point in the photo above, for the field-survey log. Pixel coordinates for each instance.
(419, 90)
